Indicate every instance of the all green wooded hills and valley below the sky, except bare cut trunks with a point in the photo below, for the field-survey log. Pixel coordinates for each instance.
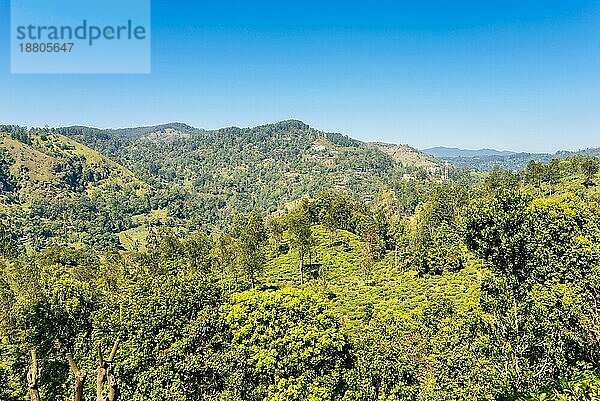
(284, 263)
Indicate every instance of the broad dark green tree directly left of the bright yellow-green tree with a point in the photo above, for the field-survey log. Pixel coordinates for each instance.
(171, 335)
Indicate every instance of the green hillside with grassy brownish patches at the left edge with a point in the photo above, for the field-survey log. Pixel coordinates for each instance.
(57, 190)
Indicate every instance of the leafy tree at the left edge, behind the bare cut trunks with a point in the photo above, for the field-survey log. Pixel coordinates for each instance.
(49, 302)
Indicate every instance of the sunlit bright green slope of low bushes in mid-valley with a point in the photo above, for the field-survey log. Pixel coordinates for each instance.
(356, 290)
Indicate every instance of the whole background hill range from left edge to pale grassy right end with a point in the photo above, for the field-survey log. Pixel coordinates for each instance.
(107, 188)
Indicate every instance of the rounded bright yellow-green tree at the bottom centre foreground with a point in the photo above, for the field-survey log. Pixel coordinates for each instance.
(285, 345)
